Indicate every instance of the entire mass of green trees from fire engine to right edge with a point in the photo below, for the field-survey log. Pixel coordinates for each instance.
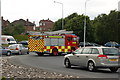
(102, 29)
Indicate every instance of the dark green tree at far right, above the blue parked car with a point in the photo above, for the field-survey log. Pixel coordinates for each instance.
(107, 27)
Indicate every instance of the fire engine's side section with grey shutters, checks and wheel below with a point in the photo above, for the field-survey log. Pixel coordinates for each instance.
(53, 44)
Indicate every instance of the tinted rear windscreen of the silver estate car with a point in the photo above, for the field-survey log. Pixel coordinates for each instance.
(110, 51)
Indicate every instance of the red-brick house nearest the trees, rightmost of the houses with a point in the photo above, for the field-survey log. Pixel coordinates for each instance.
(45, 25)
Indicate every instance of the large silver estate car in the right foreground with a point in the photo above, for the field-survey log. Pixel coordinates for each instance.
(93, 58)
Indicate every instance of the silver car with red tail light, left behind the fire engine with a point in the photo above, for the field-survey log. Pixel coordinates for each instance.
(18, 48)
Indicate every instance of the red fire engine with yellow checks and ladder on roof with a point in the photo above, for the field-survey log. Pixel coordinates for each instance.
(53, 43)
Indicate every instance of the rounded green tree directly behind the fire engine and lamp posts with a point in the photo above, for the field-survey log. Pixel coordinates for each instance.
(75, 23)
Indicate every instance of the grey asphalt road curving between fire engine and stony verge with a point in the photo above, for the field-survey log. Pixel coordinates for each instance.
(55, 64)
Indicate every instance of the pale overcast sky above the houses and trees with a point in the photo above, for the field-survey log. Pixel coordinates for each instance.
(36, 10)
